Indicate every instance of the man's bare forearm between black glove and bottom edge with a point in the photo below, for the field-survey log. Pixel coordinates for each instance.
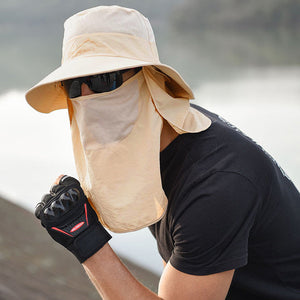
(112, 279)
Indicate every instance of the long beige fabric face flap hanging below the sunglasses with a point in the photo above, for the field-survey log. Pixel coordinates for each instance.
(120, 173)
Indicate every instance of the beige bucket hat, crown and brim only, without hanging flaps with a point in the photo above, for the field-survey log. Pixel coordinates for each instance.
(123, 39)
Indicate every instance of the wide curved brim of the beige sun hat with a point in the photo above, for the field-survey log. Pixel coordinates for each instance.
(49, 95)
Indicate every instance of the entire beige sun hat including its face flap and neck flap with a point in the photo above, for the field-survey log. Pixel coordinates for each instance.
(118, 163)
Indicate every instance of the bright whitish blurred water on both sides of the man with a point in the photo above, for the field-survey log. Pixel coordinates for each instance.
(36, 148)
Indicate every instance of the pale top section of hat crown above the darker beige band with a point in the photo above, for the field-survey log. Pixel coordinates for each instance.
(108, 19)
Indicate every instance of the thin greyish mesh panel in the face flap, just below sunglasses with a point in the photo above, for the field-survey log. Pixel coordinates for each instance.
(107, 117)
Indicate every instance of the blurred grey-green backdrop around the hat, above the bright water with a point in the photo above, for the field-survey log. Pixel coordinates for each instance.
(202, 39)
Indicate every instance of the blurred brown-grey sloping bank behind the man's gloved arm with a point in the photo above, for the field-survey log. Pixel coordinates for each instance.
(34, 267)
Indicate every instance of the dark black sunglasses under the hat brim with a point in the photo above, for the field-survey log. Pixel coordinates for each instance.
(99, 83)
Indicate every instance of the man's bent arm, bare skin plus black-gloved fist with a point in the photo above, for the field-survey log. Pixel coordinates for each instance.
(70, 220)
